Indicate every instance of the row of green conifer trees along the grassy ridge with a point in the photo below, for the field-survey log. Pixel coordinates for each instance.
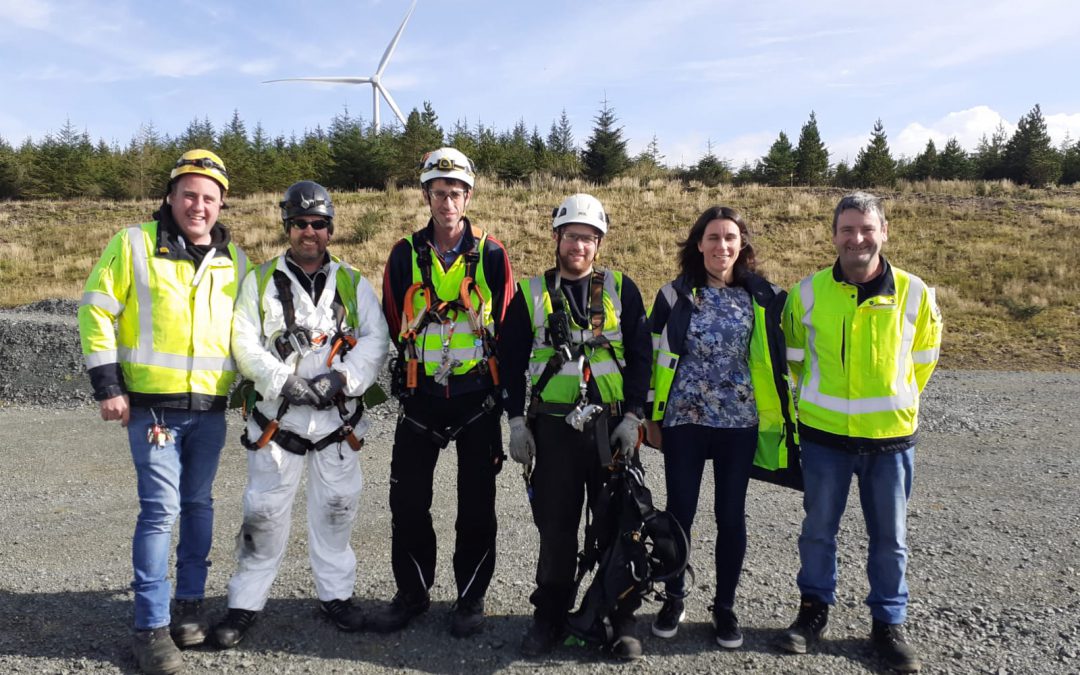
(352, 155)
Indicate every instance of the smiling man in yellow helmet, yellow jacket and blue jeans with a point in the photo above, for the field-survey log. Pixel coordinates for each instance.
(155, 322)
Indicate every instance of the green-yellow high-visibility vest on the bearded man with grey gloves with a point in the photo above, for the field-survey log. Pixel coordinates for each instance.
(606, 363)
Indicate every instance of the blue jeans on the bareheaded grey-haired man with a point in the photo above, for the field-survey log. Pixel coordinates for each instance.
(885, 487)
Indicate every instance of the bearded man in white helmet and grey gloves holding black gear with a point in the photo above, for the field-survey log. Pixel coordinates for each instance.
(580, 334)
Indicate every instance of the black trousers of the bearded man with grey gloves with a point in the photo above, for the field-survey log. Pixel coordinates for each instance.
(568, 472)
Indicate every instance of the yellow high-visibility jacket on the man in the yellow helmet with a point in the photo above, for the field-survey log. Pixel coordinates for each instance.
(173, 320)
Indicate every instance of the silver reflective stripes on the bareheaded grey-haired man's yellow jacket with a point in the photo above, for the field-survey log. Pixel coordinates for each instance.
(908, 391)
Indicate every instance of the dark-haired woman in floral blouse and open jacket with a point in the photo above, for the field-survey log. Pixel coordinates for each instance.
(721, 394)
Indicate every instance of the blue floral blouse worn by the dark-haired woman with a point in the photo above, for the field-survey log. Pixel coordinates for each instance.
(712, 385)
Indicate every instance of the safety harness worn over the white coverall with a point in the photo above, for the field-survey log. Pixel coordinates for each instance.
(300, 341)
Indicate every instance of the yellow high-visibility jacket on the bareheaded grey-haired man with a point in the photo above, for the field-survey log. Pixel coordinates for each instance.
(861, 368)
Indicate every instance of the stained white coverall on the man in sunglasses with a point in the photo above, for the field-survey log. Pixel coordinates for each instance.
(274, 475)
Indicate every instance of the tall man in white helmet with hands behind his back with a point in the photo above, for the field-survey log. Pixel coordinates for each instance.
(444, 293)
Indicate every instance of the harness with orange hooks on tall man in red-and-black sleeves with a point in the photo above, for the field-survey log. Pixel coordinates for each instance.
(438, 312)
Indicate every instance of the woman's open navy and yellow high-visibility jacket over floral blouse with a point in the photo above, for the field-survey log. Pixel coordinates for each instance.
(670, 320)
